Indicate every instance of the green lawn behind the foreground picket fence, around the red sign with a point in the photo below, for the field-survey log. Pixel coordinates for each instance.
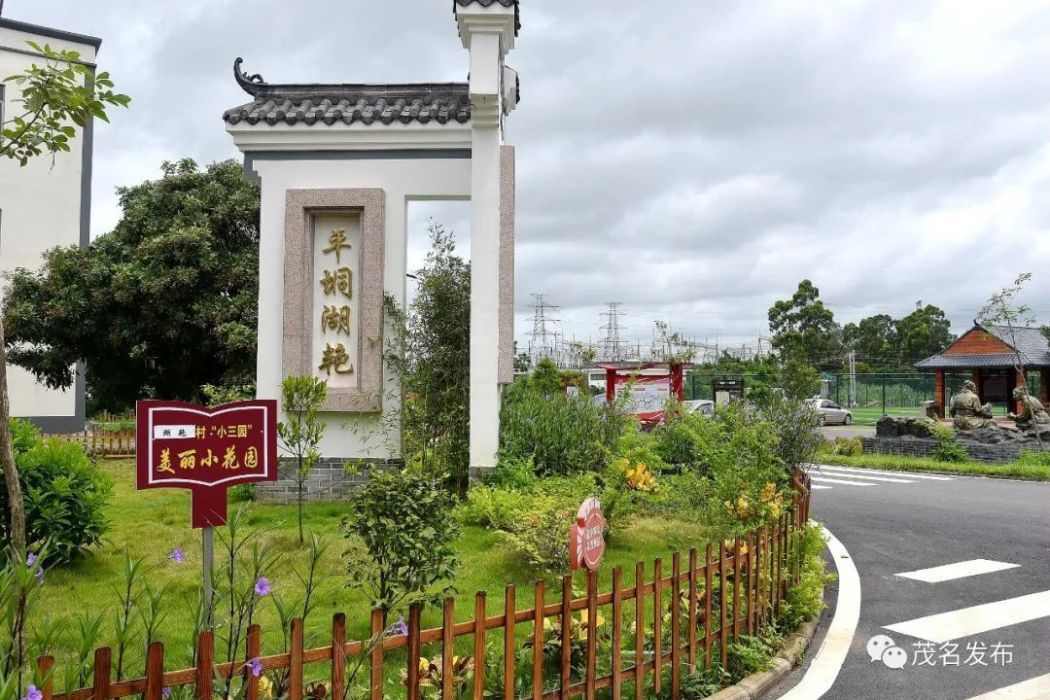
(150, 524)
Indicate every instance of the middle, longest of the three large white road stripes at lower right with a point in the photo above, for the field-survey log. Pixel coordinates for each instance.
(969, 622)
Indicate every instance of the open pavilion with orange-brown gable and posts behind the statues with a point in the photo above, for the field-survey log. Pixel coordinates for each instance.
(991, 353)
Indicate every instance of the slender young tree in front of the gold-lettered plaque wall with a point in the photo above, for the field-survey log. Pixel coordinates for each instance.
(302, 397)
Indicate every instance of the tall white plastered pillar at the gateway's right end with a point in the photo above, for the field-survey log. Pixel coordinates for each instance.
(489, 34)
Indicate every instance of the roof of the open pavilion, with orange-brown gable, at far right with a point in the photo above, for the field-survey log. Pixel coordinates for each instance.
(1034, 347)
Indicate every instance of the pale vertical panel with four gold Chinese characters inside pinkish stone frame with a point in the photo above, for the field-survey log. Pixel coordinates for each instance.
(337, 333)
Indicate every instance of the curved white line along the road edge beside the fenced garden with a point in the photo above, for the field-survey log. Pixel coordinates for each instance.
(827, 664)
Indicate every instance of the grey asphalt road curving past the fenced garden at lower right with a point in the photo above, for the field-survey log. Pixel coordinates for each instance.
(892, 528)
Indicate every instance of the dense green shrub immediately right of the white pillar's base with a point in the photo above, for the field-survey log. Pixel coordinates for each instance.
(561, 435)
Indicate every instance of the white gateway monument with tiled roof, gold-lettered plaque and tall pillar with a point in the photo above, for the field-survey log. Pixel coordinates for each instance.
(339, 165)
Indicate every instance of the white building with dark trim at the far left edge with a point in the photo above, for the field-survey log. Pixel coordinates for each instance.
(44, 205)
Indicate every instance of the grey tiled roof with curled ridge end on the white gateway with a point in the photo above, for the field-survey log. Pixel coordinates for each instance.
(349, 103)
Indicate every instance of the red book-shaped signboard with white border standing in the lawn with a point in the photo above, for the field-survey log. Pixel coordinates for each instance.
(207, 451)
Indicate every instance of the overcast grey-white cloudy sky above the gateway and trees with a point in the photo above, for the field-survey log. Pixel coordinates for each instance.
(692, 161)
